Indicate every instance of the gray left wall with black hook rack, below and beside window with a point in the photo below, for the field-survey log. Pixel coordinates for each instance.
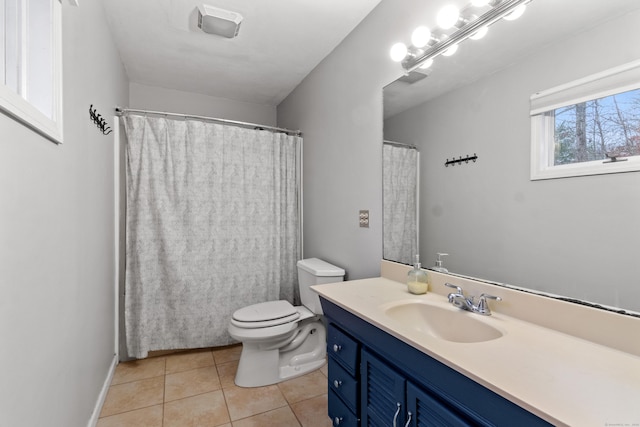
(57, 241)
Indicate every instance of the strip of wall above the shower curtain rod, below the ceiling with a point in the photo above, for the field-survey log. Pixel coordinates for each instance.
(174, 101)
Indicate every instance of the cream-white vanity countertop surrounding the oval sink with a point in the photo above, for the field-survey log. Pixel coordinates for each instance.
(563, 379)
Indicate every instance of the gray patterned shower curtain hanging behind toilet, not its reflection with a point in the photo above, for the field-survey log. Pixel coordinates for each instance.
(212, 226)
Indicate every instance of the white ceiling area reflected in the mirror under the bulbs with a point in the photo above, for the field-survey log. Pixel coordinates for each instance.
(543, 22)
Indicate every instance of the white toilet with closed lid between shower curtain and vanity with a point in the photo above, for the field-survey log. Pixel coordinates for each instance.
(280, 341)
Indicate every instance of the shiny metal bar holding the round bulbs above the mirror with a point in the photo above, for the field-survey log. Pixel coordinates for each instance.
(486, 19)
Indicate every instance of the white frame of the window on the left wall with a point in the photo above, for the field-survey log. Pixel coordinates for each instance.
(16, 106)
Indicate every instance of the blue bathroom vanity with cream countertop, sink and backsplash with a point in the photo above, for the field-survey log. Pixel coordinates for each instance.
(398, 359)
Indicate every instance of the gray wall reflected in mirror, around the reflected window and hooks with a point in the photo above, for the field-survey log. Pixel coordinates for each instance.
(574, 236)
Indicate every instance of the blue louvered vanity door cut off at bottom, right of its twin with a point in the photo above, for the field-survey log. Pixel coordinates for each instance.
(427, 411)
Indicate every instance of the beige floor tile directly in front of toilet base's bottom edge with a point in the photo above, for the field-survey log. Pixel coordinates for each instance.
(245, 402)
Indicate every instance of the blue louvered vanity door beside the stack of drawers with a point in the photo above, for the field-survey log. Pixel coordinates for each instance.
(382, 394)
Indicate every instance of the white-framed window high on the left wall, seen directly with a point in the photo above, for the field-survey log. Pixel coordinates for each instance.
(30, 64)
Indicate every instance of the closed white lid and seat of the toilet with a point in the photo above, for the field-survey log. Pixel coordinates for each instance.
(265, 314)
